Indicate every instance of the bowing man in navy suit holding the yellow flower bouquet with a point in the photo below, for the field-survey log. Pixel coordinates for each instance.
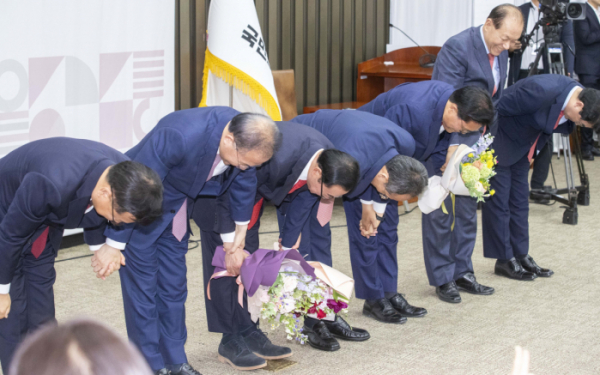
(452, 111)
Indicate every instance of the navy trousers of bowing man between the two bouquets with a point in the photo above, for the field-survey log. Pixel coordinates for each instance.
(374, 260)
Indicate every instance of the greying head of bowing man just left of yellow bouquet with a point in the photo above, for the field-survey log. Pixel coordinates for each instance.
(402, 178)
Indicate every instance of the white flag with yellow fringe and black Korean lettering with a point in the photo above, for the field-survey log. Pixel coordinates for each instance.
(236, 65)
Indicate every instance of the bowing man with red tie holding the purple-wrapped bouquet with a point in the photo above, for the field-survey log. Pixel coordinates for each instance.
(305, 172)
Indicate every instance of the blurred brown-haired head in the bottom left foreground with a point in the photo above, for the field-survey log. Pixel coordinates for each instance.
(79, 347)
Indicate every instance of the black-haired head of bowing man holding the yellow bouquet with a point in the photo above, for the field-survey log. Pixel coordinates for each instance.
(468, 109)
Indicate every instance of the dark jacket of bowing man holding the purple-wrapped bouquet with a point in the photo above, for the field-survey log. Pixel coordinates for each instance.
(278, 176)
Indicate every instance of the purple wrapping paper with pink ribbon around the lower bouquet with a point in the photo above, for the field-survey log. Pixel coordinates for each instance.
(261, 267)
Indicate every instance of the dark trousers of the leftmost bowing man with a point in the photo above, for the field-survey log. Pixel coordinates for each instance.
(32, 297)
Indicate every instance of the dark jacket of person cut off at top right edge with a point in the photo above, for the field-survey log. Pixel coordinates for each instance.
(587, 44)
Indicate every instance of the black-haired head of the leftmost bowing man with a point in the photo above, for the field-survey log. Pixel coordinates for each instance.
(128, 192)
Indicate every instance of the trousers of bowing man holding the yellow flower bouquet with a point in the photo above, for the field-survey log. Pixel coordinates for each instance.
(448, 252)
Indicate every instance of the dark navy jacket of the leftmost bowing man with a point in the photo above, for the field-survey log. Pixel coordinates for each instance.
(49, 183)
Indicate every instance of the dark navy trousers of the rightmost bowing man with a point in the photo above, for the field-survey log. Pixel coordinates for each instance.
(505, 215)
